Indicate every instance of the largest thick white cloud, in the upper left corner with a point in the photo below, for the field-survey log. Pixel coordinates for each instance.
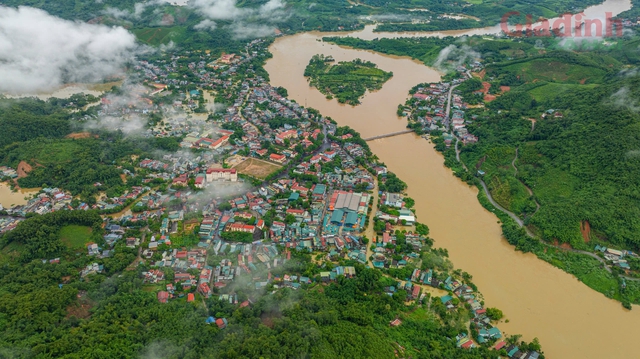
(39, 52)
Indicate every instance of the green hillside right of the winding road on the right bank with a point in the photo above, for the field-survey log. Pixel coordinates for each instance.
(576, 159)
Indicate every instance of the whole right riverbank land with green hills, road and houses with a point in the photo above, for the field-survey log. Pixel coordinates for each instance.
(550, 128)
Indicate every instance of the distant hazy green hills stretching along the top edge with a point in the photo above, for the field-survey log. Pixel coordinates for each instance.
(161, 23)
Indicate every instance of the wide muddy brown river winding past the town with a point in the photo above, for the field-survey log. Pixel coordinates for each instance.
(570, 319)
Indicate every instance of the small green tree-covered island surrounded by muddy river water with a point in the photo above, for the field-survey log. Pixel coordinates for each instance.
(347, 81)
